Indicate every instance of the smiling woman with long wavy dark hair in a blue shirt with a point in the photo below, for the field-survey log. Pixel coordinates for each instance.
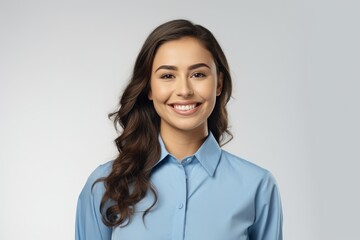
(171, 179)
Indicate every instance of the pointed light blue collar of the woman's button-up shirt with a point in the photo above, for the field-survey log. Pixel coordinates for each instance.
(208, 154)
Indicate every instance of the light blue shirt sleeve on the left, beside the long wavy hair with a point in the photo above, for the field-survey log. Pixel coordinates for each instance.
(89, 224)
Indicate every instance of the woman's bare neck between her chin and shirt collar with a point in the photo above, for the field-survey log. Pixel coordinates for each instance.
(181, 144)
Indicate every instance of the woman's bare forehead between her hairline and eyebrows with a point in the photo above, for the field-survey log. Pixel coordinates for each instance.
(182, 52)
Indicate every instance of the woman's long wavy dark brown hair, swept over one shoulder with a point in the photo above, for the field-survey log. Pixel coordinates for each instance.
(138, 143)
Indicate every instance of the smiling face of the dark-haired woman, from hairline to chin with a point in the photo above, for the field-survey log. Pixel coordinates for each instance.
(184, 85)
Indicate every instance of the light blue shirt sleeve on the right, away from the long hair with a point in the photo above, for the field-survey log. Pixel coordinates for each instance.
(268, 216)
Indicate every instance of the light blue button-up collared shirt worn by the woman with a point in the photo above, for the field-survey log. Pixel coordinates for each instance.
(211, 195)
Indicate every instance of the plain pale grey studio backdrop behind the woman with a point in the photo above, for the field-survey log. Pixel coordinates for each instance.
(295, 106)
